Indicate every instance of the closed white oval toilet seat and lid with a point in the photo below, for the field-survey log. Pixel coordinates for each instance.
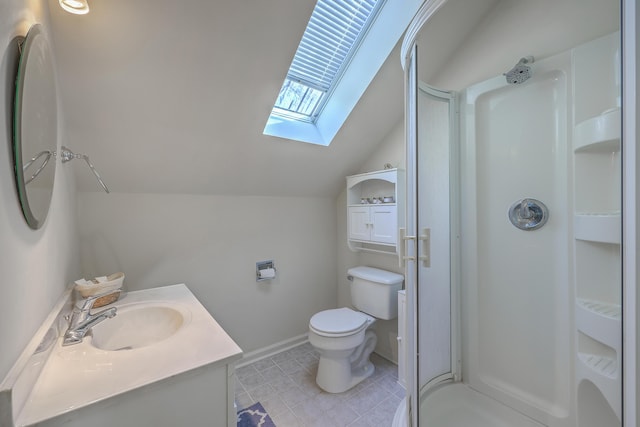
(338, 322)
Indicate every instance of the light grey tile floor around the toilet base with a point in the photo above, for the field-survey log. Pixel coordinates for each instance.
(285, 385)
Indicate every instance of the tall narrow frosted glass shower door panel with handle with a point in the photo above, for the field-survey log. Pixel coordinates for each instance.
(436, 159)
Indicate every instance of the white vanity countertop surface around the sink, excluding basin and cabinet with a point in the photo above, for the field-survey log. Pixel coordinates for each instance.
(79, 375)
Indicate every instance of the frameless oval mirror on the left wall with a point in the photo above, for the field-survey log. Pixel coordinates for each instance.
(35, 127)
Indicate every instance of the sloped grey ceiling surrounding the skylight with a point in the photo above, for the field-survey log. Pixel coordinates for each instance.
(172, 97)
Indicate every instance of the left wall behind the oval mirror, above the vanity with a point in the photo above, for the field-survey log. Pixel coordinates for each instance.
(37, 265)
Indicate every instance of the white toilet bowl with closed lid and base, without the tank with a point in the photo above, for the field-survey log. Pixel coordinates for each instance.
(345, 342)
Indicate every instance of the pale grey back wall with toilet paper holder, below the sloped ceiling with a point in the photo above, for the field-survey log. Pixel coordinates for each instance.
(211, 243)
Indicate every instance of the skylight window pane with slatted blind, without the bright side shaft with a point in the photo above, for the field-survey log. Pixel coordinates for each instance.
(333, 33)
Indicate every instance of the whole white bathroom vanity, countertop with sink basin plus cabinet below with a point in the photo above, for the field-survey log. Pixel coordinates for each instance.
(184, 378)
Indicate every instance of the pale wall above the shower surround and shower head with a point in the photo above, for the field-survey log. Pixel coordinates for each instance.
(533, 28)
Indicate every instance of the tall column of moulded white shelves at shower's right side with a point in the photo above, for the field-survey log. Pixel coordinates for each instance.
(597, 232)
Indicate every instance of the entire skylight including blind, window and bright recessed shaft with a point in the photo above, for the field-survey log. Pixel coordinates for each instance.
(345, 44)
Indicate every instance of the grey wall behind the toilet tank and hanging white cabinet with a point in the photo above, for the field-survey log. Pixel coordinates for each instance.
(390, 150)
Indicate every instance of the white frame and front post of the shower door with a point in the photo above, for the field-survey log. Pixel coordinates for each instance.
(415, 251)
